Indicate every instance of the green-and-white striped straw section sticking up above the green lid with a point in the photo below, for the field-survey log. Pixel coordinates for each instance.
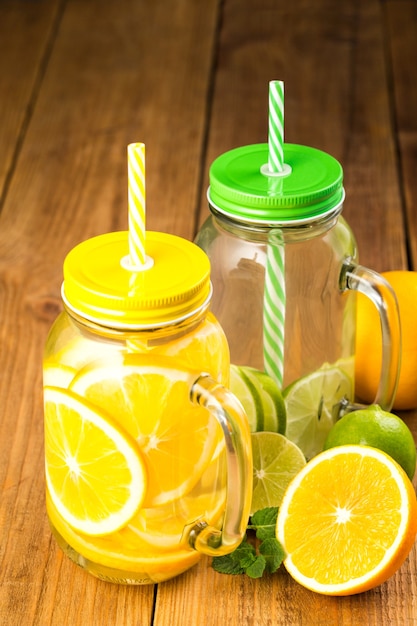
(276, 126)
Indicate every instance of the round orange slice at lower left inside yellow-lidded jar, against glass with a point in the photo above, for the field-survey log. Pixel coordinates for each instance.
(94, 471)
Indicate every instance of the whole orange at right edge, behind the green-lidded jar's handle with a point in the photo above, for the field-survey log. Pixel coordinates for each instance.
(369, 342)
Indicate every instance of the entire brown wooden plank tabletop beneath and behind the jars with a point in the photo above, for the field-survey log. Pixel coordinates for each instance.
(79, 80)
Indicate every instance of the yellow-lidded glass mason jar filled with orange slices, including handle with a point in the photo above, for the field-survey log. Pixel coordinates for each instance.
(148, 456)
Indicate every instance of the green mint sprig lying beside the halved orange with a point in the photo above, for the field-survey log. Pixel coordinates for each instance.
(252, 559)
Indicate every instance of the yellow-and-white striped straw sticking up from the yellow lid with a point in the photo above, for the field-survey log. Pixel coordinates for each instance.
(137, 203)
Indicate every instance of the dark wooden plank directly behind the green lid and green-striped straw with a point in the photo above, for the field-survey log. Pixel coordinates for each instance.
(331, 57)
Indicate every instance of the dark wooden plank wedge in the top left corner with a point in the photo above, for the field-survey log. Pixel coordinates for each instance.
(25, 33)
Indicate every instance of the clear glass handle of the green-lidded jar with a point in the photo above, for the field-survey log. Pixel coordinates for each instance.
(377, 289)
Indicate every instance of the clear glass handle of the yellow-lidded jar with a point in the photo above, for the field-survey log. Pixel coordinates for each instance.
(224, 406)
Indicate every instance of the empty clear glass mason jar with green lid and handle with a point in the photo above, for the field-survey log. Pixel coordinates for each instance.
(284, 267)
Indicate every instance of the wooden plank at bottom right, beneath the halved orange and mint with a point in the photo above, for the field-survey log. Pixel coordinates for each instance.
(202, 596)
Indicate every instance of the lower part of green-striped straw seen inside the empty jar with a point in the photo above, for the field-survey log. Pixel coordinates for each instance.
(274, 307)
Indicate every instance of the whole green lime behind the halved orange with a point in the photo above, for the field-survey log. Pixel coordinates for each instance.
(379, 429)
